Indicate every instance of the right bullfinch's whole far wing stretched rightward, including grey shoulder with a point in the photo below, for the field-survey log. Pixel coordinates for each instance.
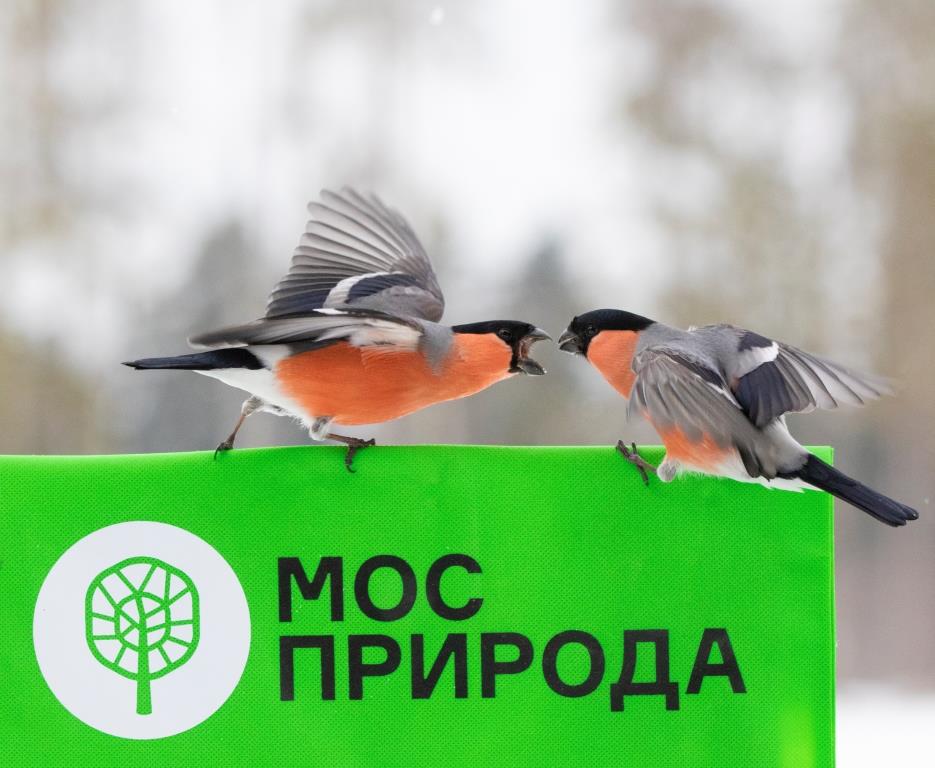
(770, 378)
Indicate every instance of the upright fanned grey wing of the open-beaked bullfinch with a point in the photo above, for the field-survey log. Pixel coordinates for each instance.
(356, 251)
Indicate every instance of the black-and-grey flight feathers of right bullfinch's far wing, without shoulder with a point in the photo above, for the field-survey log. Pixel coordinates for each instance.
(797, 381)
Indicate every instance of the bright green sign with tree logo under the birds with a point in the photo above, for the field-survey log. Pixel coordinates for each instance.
(442, 606)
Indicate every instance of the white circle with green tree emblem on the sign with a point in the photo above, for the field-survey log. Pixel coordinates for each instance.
(141, 630)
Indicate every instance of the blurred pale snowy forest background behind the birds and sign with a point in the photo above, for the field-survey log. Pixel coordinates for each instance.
(771, 165)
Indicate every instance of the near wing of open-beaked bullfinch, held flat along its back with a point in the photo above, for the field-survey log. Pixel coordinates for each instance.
(361, 328)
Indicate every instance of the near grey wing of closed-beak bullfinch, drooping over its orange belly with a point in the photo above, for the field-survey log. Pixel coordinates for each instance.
(676, 392)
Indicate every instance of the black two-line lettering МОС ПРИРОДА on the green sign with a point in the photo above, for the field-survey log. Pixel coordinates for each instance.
(477, 660)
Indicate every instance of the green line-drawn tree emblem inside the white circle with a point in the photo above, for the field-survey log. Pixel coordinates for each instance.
(141, 620)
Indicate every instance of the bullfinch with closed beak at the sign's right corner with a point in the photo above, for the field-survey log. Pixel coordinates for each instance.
(718, 395)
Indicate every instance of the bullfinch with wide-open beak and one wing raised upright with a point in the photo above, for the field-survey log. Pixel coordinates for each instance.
(352, 333)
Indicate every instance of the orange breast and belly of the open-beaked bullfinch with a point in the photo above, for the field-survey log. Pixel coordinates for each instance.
(368, 385)
